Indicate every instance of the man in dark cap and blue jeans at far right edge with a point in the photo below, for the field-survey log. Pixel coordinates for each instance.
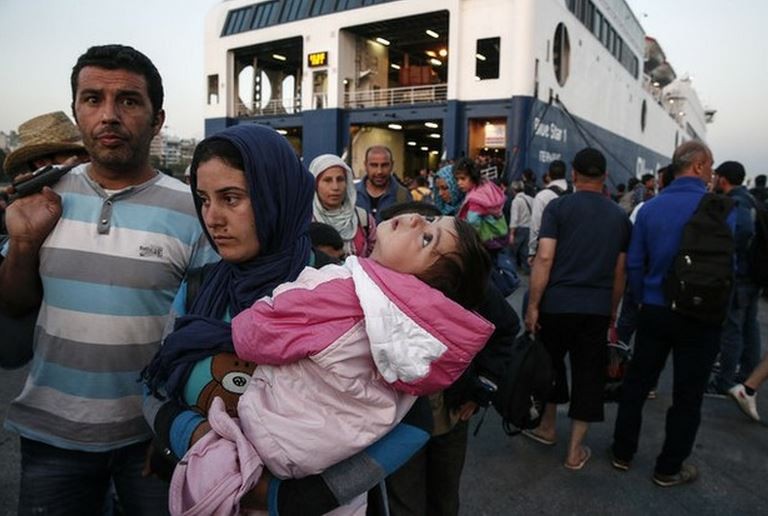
(740, 339)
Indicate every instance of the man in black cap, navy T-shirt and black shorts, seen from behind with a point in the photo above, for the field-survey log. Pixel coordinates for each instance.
(577, 280)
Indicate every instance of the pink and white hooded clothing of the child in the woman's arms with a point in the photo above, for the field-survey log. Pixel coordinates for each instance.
(342, 352)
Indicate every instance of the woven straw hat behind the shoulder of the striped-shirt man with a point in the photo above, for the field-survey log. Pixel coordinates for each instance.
(45, 134)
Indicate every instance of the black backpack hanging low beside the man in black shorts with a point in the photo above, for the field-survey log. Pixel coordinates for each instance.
(526, 384)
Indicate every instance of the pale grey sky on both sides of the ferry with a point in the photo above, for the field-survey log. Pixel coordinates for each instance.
(720, 44)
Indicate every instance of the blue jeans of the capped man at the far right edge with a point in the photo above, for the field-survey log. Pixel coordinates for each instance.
(740, 339)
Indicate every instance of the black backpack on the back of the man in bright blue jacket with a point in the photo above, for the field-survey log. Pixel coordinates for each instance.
(698, 285)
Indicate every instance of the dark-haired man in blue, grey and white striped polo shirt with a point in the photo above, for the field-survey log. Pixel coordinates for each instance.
(102, 253)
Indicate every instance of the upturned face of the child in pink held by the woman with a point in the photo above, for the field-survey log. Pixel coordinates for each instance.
(411, 243)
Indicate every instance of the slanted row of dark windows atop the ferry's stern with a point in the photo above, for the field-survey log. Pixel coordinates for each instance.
(265, 14)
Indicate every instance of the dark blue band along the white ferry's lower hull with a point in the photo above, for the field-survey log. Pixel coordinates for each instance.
(565, 136)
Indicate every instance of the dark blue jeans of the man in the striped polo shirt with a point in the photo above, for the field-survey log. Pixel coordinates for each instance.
(55, 481)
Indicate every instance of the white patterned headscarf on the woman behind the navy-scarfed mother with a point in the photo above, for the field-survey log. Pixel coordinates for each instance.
(343, 219)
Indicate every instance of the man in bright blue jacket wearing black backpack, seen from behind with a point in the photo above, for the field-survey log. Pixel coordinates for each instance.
(681, 218)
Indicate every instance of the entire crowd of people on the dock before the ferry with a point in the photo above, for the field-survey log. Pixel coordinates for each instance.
(278, 337)
